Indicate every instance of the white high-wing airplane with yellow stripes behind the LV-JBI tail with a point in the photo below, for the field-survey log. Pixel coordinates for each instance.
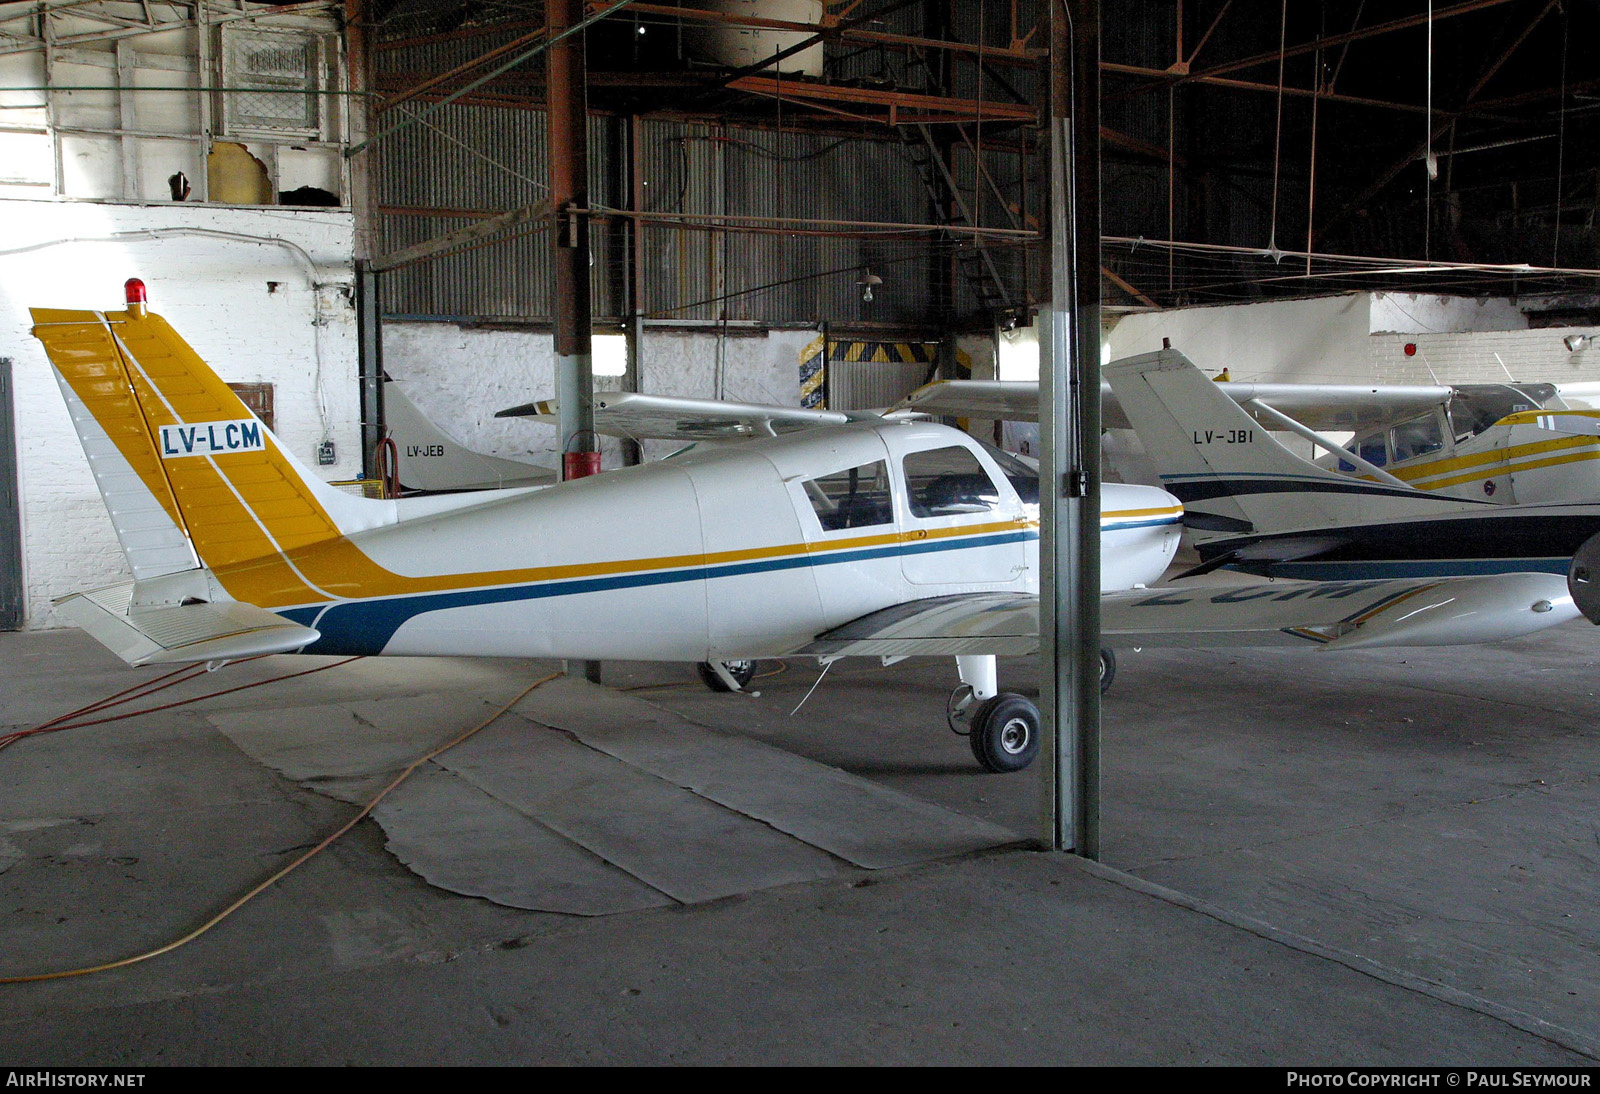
(1484, 442)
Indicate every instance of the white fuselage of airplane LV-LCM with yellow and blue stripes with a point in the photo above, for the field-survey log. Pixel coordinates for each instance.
(750, 551)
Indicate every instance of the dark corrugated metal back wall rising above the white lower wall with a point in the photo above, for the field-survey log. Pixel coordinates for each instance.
(466, 161)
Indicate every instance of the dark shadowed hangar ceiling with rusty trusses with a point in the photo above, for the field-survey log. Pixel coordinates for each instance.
(1396, 132)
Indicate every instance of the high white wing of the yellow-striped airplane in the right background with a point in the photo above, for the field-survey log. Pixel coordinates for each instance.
(1338, 407)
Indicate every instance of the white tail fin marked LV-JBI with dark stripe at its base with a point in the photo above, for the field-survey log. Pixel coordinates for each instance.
(1231, 474)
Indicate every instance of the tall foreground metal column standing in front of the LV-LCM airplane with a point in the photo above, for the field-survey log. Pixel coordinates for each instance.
(1070, 428)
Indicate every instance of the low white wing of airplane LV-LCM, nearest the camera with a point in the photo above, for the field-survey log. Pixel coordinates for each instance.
(1330, 615)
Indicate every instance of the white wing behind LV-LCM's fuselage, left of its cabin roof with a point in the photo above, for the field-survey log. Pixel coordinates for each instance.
(638, 417)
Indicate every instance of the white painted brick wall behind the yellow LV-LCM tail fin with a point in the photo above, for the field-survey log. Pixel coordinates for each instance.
(215, 293)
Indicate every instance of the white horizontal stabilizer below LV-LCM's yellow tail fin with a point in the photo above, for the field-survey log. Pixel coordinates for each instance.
(225, 631)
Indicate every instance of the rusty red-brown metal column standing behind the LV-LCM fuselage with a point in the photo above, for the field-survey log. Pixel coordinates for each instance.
(569, 142)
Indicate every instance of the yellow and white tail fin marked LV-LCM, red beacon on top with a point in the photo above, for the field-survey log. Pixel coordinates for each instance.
(190, 474)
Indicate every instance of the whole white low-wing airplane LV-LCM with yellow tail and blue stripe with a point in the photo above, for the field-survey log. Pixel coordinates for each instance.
(855, 538)
